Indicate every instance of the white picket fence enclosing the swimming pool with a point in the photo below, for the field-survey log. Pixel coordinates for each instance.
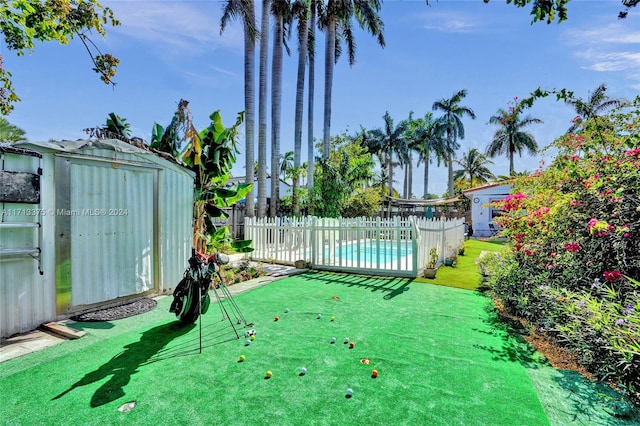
(394, 247)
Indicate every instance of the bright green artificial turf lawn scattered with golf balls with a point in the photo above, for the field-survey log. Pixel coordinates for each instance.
(441, 360)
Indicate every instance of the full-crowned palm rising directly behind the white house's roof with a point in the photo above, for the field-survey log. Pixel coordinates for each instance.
(510, 137)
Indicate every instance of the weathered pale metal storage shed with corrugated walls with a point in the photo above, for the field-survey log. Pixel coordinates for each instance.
(114, 221)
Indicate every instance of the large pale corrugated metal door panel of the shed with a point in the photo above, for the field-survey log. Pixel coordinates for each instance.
(112, 231)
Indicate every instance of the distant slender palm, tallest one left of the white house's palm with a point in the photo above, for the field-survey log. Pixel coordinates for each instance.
(452, 121)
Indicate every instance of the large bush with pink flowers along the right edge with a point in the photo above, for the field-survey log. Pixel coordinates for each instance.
(574, 260)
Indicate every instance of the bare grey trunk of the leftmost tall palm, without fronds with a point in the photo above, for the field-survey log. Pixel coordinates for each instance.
(250, 111)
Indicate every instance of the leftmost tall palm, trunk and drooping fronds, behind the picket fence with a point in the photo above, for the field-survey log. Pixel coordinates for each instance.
(245, 9)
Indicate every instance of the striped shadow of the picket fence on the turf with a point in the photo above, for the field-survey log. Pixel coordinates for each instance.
(391, 286)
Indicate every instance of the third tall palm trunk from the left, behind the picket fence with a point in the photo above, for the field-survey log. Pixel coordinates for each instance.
(276, 101)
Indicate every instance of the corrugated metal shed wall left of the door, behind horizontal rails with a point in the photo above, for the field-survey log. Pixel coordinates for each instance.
(25, 298)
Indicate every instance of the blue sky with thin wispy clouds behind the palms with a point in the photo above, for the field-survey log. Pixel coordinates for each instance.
(172, 50)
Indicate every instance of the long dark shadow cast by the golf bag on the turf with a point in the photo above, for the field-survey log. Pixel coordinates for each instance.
(154, 345)
